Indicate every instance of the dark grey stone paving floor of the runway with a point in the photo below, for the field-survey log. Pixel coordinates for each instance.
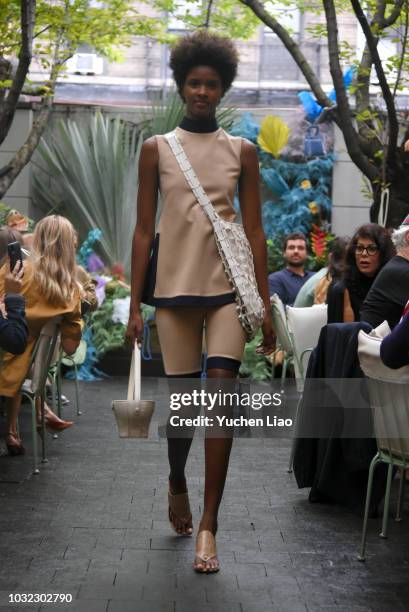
(93, 524)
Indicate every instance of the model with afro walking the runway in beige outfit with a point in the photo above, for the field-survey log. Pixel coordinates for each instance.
(190, 290)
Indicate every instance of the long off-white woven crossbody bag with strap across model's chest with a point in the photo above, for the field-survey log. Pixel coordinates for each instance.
(233, 246)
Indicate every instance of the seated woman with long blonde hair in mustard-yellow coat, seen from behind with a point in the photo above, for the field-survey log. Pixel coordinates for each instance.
(50, 288)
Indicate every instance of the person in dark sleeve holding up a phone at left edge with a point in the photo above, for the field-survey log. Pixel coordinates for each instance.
(13, 327)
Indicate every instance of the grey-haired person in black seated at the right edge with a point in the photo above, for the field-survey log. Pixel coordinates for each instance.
(389, 293)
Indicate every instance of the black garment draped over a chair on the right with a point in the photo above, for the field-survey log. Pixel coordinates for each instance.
(336, 467)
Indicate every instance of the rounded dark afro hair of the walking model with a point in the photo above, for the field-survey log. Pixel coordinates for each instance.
(204, 49)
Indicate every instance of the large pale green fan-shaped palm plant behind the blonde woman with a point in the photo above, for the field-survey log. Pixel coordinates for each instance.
(90, 174)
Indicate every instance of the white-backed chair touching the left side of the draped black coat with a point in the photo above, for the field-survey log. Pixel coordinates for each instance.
(304, 325)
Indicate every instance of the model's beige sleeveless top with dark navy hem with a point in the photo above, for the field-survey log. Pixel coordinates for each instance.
(189, 270)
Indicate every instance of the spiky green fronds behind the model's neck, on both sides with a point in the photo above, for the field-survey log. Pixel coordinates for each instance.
(167, 111)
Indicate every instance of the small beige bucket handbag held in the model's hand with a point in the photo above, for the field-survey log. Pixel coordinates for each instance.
(133, 415)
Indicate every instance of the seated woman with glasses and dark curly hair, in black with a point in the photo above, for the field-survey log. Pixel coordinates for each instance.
(370, 249)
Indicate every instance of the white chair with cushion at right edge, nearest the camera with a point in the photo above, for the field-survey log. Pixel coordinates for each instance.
(389, 399)
